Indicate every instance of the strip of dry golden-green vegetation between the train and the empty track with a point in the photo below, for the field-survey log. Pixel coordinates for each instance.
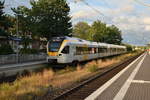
(38, 84)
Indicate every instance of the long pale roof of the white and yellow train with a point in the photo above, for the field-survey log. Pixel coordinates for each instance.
(75, 40)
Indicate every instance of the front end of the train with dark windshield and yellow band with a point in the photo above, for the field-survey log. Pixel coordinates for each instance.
(53, 48)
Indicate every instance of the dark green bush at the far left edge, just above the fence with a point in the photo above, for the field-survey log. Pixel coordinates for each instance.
(6, 49)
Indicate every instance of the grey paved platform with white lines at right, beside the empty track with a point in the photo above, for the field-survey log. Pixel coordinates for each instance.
(132, 83)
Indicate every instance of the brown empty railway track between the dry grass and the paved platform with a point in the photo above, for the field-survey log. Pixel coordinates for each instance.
(81, 91)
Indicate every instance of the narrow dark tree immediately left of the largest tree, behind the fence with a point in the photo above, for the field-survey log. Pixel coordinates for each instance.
(23, 19)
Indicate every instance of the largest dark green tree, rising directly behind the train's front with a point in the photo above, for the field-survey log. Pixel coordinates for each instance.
(50, 18)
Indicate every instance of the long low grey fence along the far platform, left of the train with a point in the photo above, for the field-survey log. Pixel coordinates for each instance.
(12, 59)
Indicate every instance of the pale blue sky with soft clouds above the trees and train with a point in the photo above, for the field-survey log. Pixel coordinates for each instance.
(132, 17)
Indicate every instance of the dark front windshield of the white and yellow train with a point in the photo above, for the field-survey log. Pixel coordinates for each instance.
(55, 43)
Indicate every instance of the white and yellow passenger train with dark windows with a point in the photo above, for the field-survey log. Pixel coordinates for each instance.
(63, 50)
